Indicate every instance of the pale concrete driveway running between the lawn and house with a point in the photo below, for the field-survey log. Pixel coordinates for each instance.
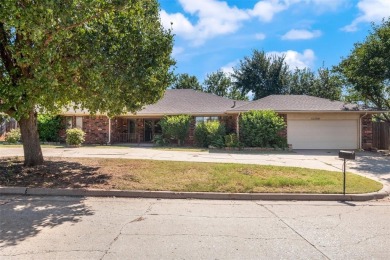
(372, 165)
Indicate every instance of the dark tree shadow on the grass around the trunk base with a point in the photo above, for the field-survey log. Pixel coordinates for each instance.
(52, 174)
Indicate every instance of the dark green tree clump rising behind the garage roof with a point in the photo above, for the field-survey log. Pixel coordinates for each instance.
(265, 75)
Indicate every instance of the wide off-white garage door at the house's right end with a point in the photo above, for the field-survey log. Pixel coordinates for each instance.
(323, 134)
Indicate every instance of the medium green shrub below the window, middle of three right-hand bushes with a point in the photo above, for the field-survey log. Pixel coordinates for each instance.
(210, 134)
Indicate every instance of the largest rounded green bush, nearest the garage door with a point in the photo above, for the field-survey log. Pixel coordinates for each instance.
(261, 128)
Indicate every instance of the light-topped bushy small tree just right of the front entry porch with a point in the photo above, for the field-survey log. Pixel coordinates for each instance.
(176, 127)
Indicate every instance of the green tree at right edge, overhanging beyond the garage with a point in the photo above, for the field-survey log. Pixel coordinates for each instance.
(367, 68)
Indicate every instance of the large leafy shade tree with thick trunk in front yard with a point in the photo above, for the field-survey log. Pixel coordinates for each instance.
(104, 56)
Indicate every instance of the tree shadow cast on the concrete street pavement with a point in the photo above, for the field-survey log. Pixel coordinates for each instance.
(25, 217)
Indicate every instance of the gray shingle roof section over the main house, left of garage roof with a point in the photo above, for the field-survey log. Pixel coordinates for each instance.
(187, 101)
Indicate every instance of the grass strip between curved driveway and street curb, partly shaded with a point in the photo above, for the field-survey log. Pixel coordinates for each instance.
(128, 174)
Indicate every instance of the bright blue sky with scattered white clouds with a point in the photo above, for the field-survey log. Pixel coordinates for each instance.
(217, 34)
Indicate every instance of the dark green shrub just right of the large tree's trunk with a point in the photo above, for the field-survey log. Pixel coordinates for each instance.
(48, 127)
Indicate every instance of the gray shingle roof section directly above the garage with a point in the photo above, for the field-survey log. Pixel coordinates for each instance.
(295, 103)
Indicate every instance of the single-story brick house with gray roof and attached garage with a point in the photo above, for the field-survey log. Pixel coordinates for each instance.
(312, 122)
